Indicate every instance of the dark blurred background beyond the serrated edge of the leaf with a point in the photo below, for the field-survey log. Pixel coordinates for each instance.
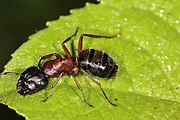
(21, 18)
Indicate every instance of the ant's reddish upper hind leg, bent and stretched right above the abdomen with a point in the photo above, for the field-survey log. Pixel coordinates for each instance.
(92, 36)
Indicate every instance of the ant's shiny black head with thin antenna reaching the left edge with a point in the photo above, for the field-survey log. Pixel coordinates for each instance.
(30, 81)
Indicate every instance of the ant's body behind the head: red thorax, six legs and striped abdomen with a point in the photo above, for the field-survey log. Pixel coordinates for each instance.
(94, 61)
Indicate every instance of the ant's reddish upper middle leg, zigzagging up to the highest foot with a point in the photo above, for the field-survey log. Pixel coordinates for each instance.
(66, 40)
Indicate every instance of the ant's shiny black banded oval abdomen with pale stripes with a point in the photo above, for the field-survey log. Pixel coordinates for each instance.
(98, 63)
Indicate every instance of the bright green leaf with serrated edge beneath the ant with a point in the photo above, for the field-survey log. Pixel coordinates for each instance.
(147, 53)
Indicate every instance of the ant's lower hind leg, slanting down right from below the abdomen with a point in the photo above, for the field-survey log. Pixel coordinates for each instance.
(98, 83)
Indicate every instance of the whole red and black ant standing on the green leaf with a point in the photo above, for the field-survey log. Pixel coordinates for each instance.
(96, 62)
